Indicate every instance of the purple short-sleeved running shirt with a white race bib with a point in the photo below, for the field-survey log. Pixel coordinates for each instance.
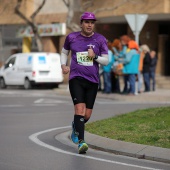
(81, 65)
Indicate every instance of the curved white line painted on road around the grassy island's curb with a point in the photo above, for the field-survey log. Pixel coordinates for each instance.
(34, 138)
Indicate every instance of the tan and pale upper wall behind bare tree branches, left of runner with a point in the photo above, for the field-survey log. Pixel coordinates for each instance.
(53, 11)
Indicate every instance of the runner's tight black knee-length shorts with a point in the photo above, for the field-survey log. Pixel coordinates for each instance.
(83, 91)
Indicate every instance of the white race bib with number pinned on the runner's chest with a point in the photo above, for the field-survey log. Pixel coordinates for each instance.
(84, 59)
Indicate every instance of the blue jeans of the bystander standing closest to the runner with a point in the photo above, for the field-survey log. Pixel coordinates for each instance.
(107, 82)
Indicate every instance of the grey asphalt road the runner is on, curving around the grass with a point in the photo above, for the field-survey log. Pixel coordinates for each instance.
(32, 124)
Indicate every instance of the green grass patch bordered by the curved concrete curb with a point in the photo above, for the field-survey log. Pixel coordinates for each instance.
(148, 127)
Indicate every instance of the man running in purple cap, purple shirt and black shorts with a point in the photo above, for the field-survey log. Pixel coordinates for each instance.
(88, 50)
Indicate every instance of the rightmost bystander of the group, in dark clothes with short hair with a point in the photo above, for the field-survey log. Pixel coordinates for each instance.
(154, 59)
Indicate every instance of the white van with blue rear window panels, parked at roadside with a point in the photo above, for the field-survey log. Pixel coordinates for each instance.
(29, 69)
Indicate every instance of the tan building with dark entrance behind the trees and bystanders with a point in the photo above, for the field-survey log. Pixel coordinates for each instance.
(111, 23)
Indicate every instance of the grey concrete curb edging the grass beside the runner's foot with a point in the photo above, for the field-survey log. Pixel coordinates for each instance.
(128, 149)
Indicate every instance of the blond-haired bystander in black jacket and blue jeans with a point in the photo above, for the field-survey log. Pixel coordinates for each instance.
(146, 67)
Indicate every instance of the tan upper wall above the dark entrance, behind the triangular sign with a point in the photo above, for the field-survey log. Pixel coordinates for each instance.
(138, 6)
